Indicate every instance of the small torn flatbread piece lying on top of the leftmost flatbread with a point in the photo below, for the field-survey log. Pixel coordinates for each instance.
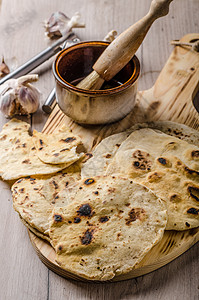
(60, 147)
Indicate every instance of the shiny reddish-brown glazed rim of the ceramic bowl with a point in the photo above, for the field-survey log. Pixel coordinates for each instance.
(67, 85)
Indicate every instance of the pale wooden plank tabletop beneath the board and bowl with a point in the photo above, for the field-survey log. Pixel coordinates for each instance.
(22, 274)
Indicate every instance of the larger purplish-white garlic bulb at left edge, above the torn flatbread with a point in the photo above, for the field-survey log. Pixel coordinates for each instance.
(18, 96)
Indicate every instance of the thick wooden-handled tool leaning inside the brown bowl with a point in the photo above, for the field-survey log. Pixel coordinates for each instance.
(123, 48)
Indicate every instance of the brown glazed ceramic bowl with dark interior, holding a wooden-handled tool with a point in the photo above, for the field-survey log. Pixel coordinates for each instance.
(103, 106)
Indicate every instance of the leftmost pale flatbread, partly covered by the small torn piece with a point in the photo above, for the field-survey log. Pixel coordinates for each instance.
(18, 156)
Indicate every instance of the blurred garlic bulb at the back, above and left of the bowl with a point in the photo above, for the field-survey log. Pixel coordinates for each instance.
(59, 24)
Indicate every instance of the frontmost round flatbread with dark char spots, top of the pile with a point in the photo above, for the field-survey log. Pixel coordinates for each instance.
(108, 227)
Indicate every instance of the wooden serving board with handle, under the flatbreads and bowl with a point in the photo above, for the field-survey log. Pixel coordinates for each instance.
(171, 98)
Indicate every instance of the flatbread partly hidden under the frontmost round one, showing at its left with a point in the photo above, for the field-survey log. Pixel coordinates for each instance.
(34, 198)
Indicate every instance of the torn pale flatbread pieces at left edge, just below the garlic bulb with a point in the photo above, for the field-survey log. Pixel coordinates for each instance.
(23, 154)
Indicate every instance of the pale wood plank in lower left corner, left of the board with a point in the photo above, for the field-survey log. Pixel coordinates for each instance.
(22, 275)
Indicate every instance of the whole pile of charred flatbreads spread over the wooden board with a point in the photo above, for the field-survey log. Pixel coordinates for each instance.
(103, 215)
